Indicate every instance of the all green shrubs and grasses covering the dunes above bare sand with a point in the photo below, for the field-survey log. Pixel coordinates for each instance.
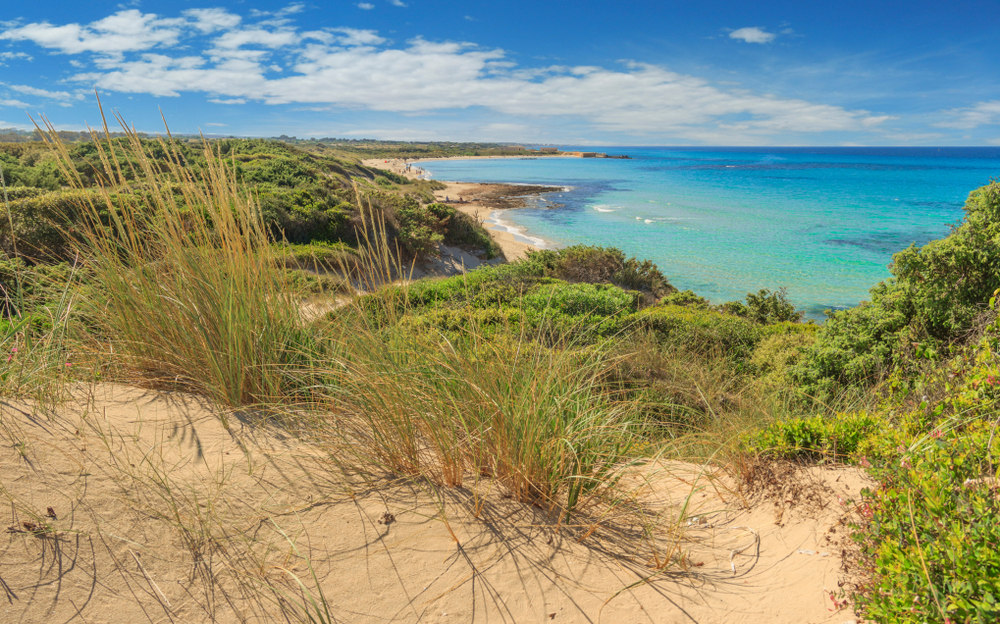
(551, 375)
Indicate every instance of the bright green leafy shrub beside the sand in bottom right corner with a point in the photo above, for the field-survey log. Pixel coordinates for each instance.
(930, 535)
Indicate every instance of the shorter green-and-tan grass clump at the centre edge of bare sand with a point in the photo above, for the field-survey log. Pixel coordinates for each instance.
(538, 420)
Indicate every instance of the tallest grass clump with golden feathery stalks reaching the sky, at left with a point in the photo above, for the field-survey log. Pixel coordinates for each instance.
(188, 289)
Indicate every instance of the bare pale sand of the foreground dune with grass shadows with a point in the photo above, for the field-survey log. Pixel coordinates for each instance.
(163, 515)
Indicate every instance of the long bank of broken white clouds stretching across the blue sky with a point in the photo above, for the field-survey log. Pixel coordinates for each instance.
(352, 68)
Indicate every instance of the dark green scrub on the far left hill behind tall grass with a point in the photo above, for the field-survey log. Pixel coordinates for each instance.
(304, 198)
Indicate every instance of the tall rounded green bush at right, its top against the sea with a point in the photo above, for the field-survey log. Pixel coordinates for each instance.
(934, 296)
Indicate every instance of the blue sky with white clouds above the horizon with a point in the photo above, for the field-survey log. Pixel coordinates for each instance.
(588, 72)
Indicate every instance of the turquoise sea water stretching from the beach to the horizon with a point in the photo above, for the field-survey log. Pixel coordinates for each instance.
(822, 222)
